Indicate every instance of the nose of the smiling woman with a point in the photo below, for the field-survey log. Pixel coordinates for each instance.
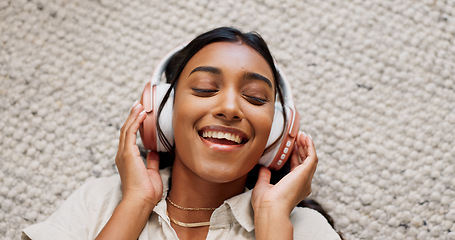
(228, 107)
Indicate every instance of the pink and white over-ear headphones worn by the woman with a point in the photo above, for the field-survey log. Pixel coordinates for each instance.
(153, 94)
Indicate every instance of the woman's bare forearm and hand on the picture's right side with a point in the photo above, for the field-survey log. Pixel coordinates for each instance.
(272, 204)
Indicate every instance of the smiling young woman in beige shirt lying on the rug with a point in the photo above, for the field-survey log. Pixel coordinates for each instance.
(225, 88)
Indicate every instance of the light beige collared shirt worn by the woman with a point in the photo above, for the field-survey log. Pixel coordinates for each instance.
(87, 210)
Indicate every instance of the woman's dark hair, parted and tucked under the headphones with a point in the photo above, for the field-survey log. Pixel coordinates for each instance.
(178, 62)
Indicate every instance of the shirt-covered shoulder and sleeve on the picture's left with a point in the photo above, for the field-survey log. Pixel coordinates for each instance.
(82, 214)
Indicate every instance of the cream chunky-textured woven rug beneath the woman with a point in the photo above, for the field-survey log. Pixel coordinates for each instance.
(373, 82)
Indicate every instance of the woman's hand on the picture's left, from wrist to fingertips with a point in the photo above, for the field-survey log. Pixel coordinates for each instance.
(139, 183)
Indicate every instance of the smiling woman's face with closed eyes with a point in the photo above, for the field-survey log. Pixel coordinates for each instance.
(223, 111)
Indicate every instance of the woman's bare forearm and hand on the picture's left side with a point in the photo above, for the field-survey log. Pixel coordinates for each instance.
(141, 186)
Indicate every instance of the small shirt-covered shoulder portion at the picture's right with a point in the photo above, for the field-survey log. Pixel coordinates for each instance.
(310, 224)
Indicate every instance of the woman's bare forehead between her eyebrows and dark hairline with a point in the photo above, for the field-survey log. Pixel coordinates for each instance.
(230, 56)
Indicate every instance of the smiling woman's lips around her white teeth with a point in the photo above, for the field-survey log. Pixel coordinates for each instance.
(223, 147)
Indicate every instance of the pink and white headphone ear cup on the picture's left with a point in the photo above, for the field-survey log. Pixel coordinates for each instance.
(151, 99)
